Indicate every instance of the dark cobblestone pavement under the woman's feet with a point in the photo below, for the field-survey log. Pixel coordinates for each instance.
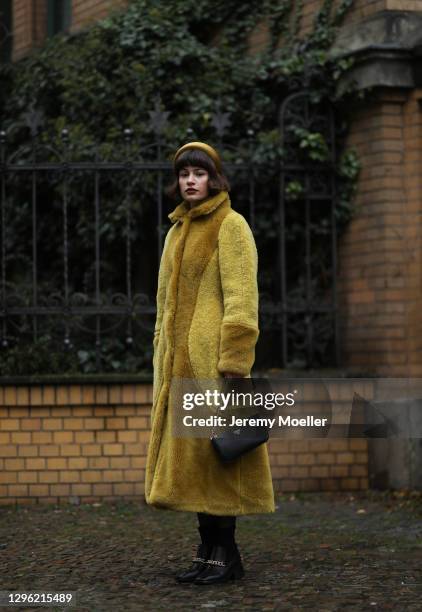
(317, 552)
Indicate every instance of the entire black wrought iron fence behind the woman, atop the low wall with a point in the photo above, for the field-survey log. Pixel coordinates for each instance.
(93, 278)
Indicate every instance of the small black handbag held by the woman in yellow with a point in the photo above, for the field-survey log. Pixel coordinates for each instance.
(234, 442)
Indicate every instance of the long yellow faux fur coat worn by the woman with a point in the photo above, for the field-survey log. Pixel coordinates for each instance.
(207, 324)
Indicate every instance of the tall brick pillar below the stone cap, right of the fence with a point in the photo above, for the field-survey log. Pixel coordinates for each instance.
(380, 255)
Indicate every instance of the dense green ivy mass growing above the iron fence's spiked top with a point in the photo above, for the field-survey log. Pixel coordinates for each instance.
(192, 53)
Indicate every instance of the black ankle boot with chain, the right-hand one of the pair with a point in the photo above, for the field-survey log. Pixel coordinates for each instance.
(224, 563)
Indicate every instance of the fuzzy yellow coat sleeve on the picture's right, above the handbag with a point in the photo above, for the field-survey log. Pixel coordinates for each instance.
(238, 262)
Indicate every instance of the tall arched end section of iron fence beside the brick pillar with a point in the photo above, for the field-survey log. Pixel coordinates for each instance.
(308, 292)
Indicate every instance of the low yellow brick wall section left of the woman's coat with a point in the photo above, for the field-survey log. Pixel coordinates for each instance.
(58, 442)
